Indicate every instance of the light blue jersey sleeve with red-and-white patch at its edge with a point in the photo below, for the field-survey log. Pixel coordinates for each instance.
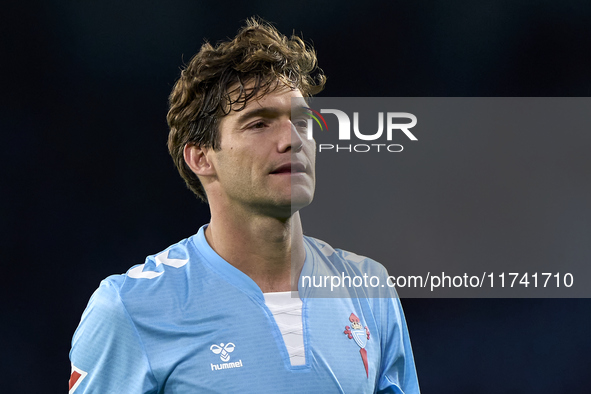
(107, 354)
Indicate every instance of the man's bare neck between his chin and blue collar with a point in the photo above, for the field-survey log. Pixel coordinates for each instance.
(269, 250)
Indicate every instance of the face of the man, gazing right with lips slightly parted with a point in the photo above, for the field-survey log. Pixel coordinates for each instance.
(266, 163)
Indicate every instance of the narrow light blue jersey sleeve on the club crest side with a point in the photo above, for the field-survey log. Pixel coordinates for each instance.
(398, 372)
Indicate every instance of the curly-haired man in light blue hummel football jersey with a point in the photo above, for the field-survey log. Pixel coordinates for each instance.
(213, 313)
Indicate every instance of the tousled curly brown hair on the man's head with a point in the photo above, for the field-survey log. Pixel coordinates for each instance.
(213, 84)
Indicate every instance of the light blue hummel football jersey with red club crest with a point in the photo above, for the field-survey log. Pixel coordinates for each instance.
(187, 321)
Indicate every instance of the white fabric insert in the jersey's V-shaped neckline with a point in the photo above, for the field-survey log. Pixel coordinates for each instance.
(287, 312)
